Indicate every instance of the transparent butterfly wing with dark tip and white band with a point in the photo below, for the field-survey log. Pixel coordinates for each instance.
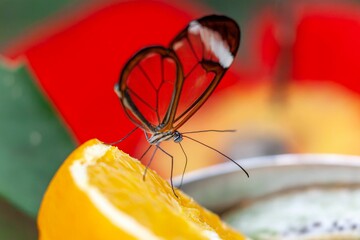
(206, 48)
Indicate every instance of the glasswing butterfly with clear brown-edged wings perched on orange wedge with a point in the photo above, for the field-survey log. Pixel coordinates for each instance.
(160, 88)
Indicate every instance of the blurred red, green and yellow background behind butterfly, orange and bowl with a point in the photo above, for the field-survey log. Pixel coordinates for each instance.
(294, 87)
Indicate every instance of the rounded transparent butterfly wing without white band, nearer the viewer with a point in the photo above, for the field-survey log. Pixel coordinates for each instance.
(149, 88)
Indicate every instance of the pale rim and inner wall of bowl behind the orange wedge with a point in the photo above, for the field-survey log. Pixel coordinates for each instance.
(221, 186)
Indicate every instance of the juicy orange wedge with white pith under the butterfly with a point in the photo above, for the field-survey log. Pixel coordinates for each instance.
(99, 193)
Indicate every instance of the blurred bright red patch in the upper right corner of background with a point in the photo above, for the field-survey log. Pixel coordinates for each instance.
(324, 42)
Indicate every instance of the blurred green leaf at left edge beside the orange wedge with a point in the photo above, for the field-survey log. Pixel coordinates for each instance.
(33, 140)
